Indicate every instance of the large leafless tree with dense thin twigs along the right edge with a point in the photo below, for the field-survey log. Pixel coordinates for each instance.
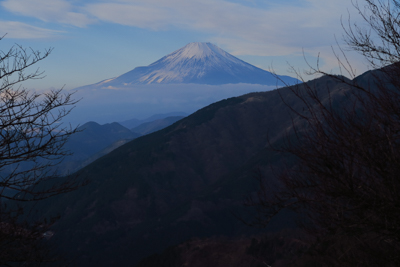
(346, 181)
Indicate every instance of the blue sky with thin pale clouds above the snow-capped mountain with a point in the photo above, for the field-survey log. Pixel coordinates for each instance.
(99, 39)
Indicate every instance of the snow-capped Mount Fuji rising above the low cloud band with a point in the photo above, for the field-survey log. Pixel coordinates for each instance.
(197, 63)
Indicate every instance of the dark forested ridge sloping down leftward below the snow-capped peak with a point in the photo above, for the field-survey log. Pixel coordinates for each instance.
(181, 182)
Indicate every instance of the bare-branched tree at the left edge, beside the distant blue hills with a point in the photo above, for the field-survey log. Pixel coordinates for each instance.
(31, 142)
